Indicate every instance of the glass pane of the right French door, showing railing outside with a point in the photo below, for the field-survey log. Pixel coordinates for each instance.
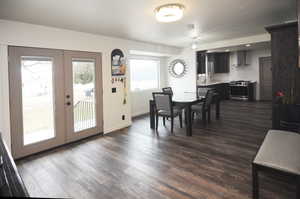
(83, 94)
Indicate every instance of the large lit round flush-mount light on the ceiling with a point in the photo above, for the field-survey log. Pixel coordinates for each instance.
(169, 13)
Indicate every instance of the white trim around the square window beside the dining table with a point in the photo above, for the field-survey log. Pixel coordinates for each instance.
(148, 58)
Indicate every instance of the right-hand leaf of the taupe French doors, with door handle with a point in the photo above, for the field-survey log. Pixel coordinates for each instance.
(83, 94)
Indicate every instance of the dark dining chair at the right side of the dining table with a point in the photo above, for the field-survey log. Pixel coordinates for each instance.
(204, 107)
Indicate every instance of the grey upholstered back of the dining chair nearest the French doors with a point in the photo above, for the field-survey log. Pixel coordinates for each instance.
(163, 101)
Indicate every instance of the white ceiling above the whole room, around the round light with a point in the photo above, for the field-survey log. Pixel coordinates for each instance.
(134, 19)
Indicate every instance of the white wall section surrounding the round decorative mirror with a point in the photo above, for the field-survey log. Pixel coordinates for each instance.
(186, 83)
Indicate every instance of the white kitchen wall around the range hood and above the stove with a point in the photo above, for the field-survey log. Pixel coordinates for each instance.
(249, 72)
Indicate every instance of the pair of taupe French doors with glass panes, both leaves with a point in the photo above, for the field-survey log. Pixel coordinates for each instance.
(51, 102)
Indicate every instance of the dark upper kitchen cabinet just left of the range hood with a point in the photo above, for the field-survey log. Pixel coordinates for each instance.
(219, 61)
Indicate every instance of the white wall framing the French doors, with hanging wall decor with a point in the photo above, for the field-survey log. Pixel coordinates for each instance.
(22, 34)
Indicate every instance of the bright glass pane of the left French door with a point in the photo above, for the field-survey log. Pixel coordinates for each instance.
(37, 99)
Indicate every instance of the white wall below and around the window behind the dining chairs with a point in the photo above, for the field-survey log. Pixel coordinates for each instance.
(140, 99)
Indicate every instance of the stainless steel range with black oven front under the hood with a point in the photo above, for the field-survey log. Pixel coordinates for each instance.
(241, 90)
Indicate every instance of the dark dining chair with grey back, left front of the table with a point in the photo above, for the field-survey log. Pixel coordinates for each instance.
(165, 109)
